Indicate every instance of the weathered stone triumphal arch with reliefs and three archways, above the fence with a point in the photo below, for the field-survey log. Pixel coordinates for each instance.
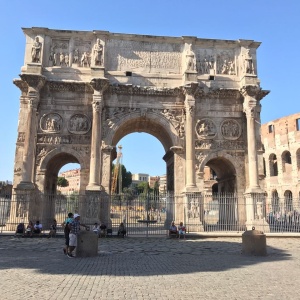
(81, 92)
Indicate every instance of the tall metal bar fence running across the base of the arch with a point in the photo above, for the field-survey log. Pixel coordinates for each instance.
(151, 214)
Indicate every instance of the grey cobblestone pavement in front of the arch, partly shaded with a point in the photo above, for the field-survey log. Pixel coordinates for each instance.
(153, 268)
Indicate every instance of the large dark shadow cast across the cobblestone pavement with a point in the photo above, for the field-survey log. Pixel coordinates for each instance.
(133, 256)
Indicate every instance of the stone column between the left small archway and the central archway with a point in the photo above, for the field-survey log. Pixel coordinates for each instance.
(99, 85)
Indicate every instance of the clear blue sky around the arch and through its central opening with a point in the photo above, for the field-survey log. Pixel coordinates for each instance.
(275, 23)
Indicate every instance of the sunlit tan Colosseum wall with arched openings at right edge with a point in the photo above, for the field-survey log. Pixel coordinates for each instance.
(281, 140)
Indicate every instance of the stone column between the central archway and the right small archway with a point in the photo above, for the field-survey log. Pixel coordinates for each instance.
(189, 104)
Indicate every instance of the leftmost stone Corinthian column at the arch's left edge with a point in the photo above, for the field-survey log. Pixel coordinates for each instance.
(34, 83)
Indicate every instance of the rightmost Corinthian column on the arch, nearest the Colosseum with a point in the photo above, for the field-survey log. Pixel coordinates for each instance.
(250, 107)
